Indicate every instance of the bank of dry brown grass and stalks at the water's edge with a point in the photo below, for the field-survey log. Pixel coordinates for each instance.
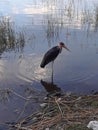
(66, 113)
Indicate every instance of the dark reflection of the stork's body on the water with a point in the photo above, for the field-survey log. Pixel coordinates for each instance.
(51, 88)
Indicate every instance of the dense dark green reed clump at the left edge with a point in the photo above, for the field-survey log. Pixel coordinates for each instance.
(10, 38)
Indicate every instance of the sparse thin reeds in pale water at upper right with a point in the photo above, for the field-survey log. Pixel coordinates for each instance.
(68, 14)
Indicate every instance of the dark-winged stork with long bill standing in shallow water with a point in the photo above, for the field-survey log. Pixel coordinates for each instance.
(51, 55)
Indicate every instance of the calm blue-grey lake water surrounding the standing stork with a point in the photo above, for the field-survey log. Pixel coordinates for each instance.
(38, 26)
